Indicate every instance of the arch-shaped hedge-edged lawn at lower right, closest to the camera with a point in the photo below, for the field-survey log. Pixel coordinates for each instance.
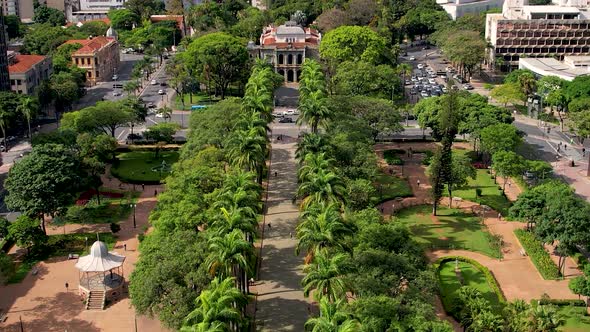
(449, 284)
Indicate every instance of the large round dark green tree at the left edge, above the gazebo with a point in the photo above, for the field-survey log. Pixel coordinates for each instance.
(43, 182)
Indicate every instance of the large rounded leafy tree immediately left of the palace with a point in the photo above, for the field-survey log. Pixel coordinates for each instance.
(219, 59)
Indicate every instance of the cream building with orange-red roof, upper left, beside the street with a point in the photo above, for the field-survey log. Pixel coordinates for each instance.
(99, 56)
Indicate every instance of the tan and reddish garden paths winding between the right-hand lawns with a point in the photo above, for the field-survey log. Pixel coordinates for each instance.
(516, 274)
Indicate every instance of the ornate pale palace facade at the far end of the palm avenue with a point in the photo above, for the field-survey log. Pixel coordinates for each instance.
(286, 47)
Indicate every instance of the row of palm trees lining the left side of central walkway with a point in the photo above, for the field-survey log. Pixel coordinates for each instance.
(235, 213)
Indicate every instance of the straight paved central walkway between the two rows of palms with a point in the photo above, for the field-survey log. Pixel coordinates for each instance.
(281, 305)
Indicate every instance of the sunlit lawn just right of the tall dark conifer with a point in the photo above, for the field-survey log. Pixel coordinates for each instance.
(490, 194)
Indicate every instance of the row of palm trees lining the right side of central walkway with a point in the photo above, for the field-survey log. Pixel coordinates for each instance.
(323, 229)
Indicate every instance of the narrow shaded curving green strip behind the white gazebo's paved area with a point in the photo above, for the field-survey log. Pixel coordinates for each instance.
(60, 245)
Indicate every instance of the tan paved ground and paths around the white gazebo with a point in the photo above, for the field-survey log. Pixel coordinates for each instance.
(43, 302)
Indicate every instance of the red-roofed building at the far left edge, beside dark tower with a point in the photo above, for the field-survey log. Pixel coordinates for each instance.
(28, 71)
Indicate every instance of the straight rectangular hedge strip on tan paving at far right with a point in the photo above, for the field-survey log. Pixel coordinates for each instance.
(534, 248)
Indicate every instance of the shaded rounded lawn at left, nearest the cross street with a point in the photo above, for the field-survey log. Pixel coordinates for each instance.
(143, 166)
